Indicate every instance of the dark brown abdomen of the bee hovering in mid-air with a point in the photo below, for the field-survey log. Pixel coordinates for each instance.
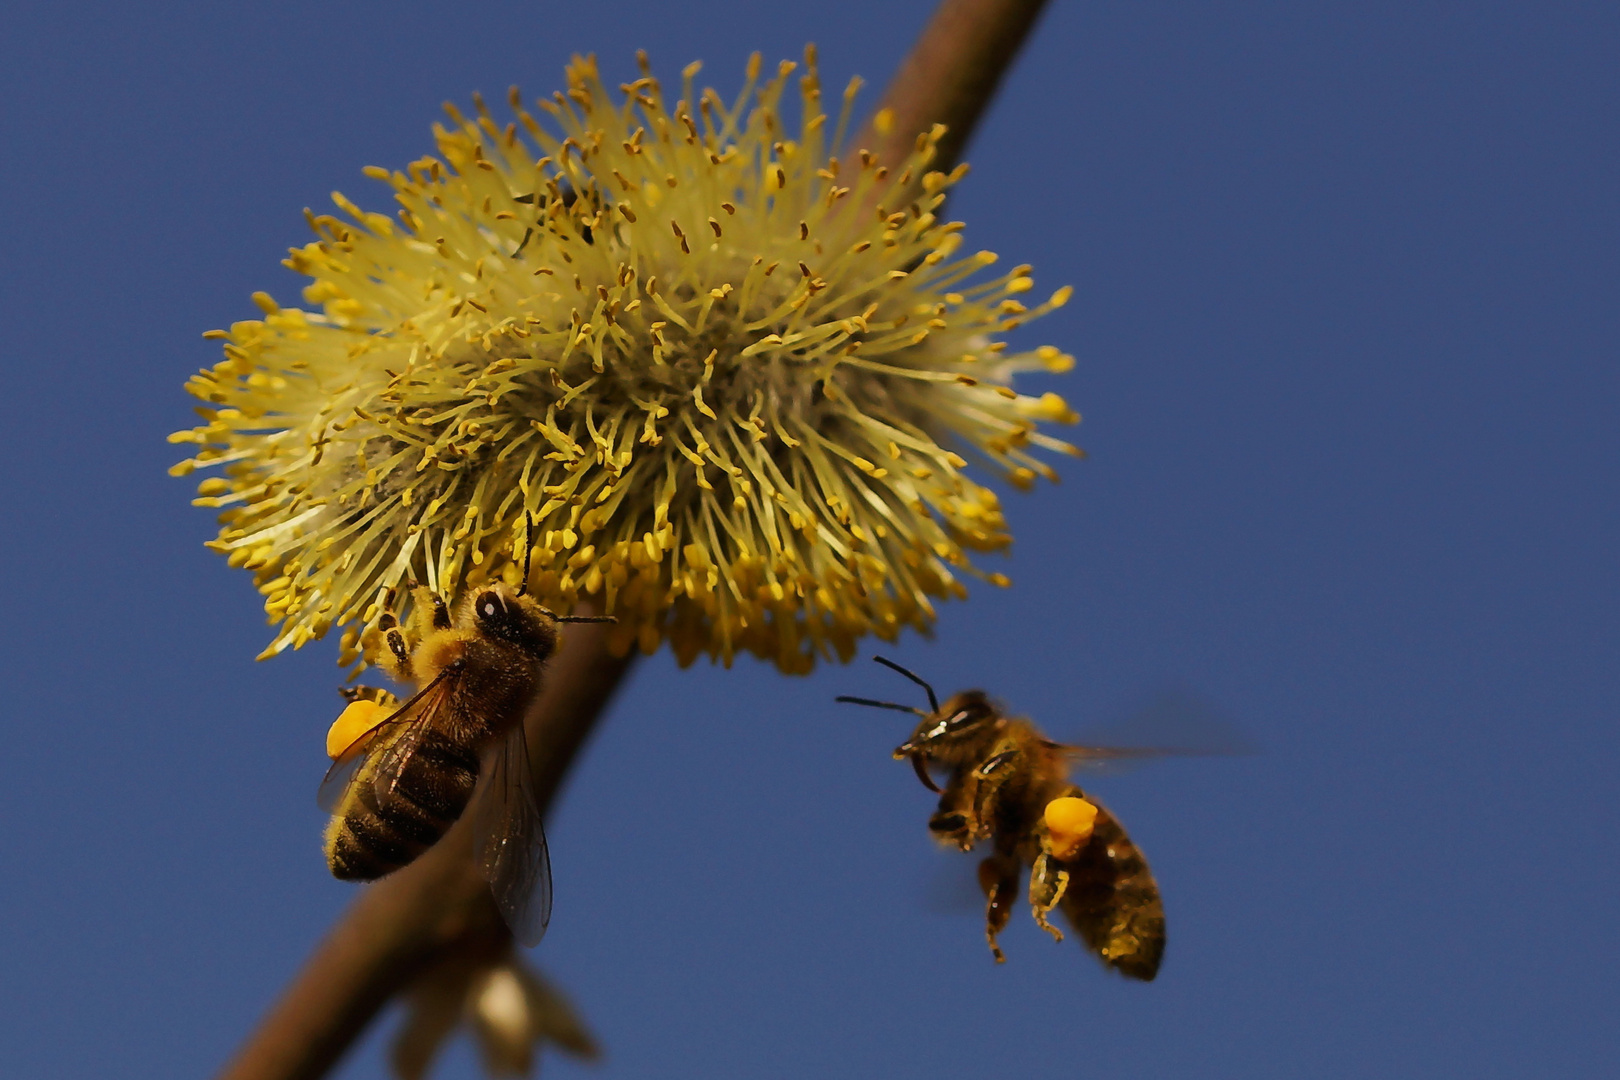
(1114, 901)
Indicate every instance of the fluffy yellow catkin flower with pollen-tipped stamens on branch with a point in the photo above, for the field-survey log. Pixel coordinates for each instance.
(728, 381)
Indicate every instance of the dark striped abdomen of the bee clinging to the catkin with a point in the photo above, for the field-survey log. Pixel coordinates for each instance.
(378, 833)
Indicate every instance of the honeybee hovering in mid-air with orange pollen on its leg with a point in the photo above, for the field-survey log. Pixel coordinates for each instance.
(1008, 784)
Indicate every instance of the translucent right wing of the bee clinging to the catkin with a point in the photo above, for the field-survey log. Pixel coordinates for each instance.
(513, 841)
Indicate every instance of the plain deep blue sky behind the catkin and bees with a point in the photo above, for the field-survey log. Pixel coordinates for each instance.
(1347, 330)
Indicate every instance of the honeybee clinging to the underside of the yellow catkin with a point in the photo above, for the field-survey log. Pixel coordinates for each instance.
(404, 773)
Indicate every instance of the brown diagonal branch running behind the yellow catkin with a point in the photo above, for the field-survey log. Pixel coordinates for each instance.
(403, 924)
